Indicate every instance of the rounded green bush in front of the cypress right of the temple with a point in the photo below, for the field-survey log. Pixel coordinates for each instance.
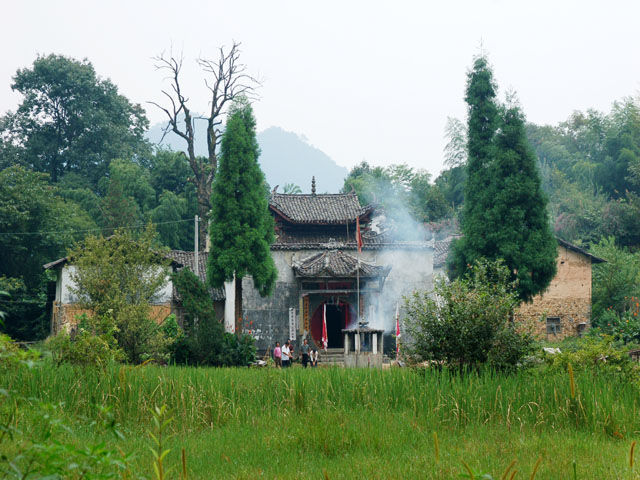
(467, 321)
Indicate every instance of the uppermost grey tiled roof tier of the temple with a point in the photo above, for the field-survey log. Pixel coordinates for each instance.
(322, 209)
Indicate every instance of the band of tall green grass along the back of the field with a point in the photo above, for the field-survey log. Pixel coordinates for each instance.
(203, 398)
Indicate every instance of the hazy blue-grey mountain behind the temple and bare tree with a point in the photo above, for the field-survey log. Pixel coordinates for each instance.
(286, 158)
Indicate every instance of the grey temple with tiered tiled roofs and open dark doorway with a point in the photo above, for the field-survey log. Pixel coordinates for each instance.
(321, 272)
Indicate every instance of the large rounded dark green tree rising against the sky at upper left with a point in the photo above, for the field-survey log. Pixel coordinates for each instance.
(70, 120)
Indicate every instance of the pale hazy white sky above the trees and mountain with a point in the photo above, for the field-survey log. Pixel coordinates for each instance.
(360, 79)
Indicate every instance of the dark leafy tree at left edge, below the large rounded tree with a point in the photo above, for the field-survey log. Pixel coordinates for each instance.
(36, 225)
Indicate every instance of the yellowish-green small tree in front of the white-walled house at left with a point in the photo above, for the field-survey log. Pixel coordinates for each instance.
(118, 278)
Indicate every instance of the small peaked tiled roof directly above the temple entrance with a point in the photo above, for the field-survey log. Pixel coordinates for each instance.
(337, 264)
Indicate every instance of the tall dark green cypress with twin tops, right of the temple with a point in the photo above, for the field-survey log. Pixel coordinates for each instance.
(505, 211)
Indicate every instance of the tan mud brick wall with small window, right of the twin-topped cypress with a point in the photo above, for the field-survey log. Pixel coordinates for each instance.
(567, 298)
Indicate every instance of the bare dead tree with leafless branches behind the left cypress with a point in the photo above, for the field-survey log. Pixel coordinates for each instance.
(227, 79)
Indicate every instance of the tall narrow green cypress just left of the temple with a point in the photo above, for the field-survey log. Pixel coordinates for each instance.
(242, 228)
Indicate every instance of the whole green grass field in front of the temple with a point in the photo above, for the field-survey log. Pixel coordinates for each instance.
(338, 423)
